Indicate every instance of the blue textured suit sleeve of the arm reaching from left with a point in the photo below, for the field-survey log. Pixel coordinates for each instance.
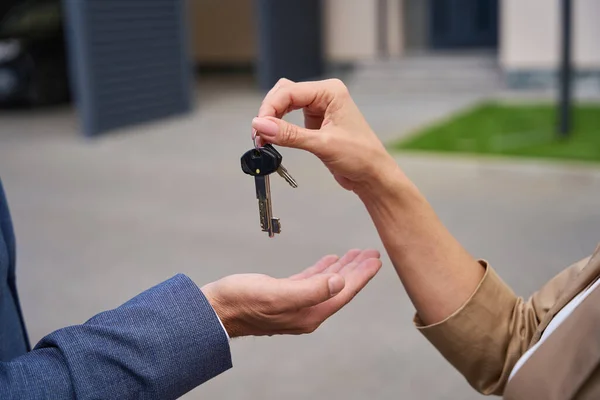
(159, 345)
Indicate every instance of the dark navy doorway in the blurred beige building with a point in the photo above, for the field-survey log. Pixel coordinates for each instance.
(456, 24)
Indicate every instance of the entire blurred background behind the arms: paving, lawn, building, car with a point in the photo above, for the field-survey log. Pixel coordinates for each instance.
(122, 123)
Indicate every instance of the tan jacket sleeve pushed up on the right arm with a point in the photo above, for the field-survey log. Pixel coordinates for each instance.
(485, 337)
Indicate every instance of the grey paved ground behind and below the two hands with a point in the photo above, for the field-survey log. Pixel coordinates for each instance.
(99, 221)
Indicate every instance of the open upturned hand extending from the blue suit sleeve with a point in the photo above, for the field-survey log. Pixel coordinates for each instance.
(257, 305)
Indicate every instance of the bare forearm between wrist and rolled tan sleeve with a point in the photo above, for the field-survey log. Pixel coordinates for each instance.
(437, 272)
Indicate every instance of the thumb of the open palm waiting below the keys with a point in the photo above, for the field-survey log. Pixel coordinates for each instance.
(298, 294)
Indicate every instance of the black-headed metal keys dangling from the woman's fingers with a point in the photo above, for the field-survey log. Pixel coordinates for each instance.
(260, 163)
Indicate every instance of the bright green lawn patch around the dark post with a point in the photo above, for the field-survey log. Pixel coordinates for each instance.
(516, 130)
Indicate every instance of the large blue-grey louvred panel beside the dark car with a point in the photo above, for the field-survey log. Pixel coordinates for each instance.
(131, 62)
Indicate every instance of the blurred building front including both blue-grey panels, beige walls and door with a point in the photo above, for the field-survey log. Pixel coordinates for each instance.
(131, 61)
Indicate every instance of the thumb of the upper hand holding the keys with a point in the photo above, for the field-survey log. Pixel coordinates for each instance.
(283, 133)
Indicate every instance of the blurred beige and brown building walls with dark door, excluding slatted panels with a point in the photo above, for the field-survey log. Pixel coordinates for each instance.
(525, 34)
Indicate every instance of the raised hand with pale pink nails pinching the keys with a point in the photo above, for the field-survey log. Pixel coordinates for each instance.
(335, 131)
